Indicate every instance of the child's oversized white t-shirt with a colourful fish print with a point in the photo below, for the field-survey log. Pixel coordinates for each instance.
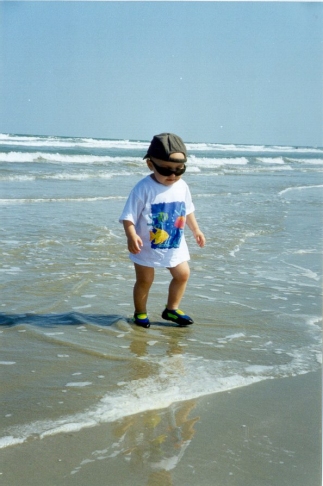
(159, 215)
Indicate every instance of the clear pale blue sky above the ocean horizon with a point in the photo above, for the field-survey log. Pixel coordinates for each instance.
(227, 72)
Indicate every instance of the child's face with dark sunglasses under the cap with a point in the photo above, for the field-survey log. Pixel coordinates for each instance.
(166, 172)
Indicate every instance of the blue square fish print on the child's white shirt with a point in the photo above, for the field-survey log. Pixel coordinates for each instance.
(168, 221)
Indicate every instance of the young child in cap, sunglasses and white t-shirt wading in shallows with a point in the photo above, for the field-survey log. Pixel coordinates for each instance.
(154, 217)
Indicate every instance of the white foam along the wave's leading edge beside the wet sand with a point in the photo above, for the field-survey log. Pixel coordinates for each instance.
(180, 377)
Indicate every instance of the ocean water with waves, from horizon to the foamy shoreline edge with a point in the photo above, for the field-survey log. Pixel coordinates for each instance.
(70, 358)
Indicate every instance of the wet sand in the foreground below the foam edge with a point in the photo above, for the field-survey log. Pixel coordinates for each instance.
(266, 434)
